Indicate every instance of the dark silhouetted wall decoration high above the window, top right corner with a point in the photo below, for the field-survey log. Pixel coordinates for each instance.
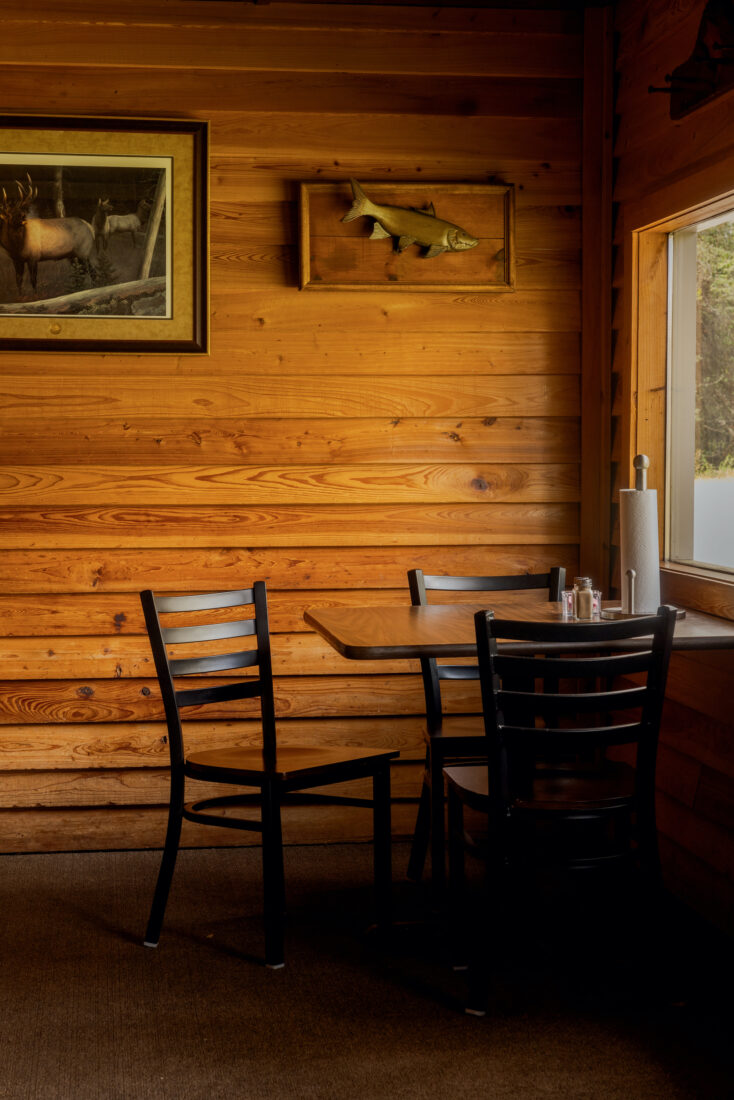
(710, 70)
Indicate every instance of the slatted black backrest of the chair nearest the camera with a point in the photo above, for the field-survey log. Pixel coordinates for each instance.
(591, 687)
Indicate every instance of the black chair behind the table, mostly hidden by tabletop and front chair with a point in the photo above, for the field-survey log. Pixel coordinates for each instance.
(454, 739)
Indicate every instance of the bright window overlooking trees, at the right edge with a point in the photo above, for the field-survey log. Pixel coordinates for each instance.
(700, 394)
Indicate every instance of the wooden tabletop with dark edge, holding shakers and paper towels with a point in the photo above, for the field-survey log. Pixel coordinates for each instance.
(448, 630)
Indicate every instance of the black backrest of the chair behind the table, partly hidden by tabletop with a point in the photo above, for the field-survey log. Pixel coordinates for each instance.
(422, 584)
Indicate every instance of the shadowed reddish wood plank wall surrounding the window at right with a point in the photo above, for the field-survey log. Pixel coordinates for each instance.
(654, 156)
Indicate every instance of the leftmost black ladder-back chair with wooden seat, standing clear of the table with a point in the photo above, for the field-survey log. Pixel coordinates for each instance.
(276, 772)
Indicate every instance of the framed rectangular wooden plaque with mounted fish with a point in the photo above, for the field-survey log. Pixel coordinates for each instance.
(407, 237)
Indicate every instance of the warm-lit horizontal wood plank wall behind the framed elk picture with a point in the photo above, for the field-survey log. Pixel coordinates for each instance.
(331, 442)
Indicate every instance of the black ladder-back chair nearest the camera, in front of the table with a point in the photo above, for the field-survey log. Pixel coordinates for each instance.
(598, 687)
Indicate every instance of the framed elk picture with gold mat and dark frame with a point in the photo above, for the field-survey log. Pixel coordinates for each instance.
(104, 235)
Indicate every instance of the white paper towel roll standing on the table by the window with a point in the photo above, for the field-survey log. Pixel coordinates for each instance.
(639, 549)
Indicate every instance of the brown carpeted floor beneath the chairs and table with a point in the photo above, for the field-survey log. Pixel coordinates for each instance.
(87, 1013)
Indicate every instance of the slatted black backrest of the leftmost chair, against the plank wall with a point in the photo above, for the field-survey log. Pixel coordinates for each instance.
(213, 618)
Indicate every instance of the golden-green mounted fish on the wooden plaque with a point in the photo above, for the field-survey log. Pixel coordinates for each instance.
(408, 226)
